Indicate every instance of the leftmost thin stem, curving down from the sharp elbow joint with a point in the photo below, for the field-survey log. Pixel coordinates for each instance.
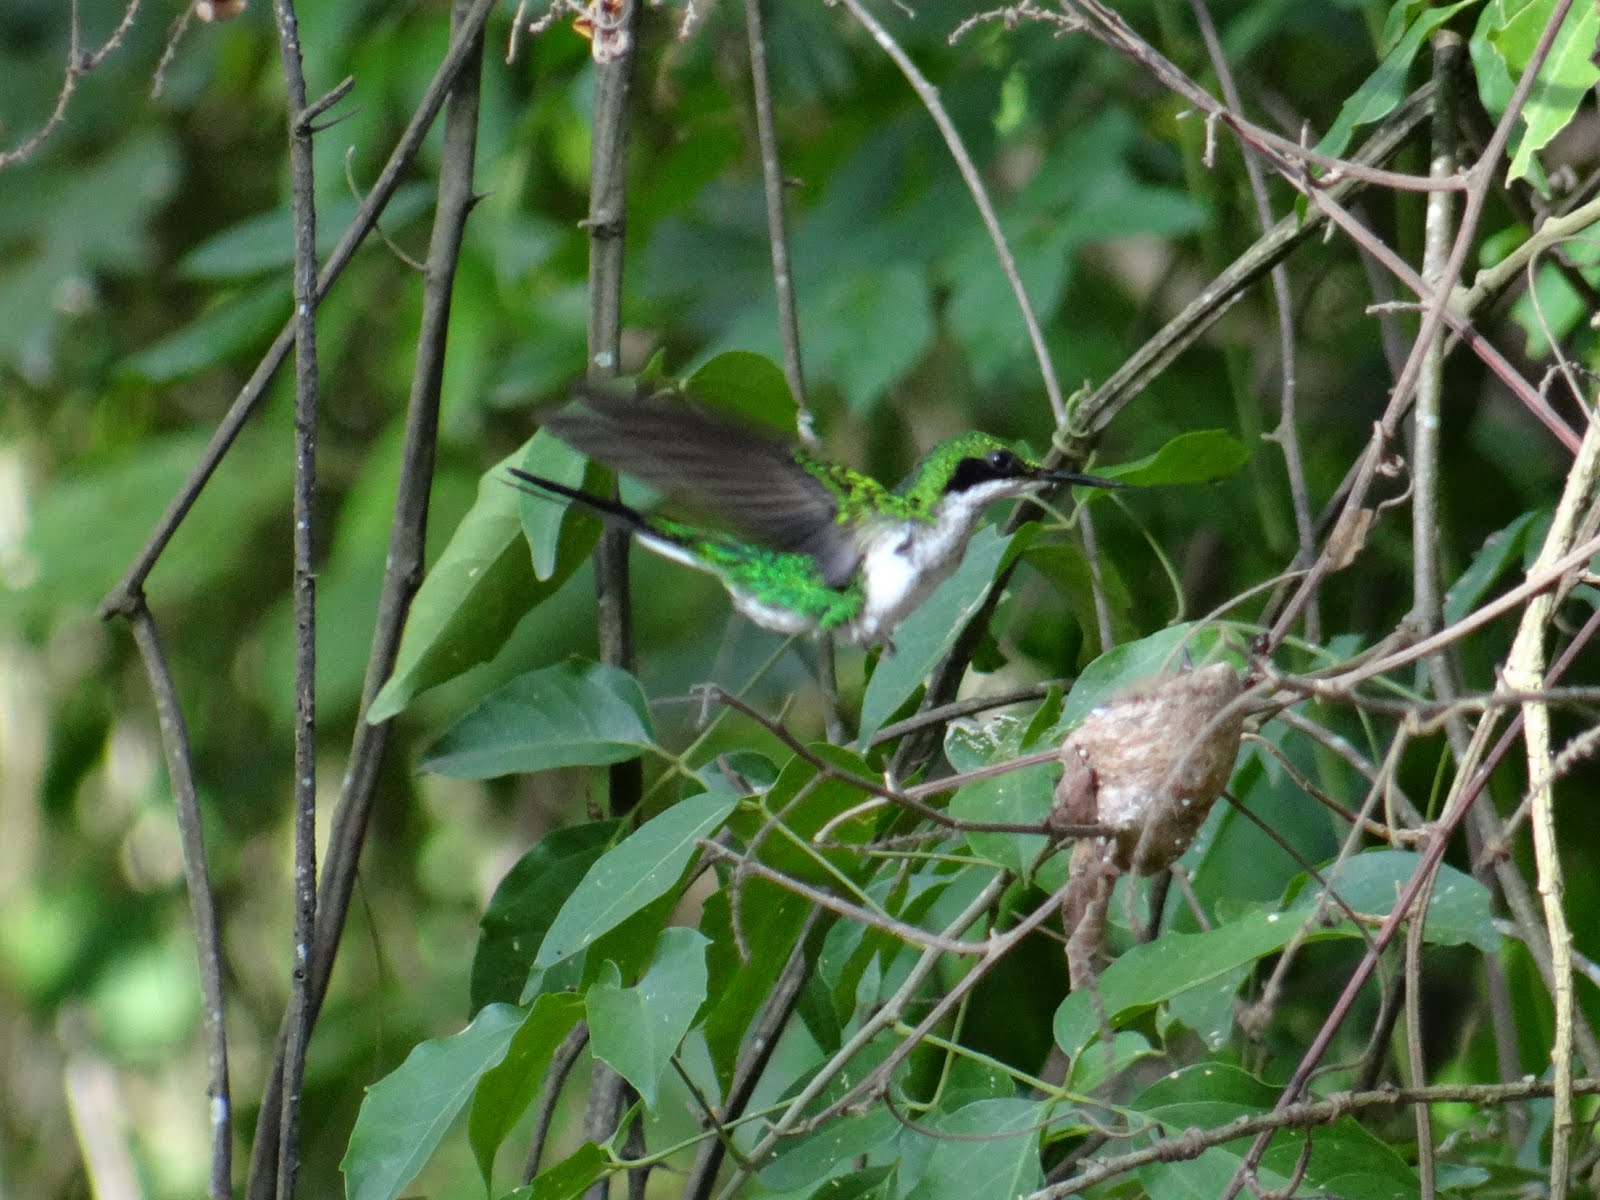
(202, 903)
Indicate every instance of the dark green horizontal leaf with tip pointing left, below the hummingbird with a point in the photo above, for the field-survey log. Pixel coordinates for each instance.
(578, 714)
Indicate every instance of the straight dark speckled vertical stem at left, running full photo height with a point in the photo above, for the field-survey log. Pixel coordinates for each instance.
(302, 1010)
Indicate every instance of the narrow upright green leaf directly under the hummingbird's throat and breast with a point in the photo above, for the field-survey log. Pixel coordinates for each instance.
(929, 633)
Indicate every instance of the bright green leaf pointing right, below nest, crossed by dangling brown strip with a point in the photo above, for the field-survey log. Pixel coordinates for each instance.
(1172, 964)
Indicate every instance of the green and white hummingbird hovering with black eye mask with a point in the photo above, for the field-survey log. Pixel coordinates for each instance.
(801, 543)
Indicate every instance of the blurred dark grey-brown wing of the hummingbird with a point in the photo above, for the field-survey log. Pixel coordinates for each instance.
(737, 476)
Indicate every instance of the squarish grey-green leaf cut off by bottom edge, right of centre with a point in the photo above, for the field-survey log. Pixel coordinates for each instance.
(978, 1159)
